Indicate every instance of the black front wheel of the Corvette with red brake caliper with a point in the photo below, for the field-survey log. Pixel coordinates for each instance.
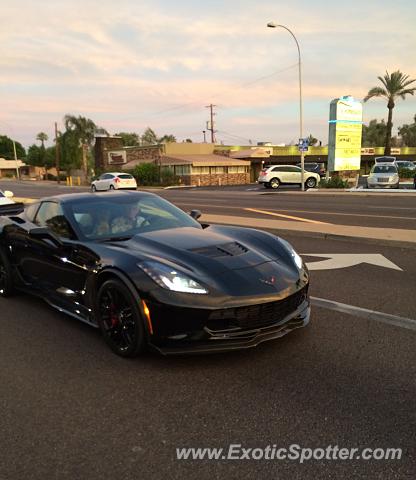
(119, 319)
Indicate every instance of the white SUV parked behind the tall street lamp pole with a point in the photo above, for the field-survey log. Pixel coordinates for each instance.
(275, 175)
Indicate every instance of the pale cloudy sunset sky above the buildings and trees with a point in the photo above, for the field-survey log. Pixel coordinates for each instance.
(133, 64)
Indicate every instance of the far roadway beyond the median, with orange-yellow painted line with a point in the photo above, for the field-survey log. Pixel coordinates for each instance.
(372, 210)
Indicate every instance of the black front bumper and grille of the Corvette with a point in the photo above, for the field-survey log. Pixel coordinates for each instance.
(199, 331)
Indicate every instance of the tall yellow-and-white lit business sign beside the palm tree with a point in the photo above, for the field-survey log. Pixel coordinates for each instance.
(345, 129)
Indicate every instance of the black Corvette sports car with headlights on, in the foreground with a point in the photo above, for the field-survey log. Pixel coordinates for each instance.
(148, 274)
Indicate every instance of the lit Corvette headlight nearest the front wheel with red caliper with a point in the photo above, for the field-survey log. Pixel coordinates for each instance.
(169, 278)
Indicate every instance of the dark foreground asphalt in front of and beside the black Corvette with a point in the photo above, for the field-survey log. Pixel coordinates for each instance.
(70, 409)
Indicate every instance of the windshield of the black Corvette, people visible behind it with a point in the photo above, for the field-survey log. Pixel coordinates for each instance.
(121, 218)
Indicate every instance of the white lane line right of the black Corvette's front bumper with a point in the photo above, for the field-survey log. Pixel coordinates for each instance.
(366, 313)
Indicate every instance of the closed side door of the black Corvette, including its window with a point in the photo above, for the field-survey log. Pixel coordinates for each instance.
(55, 262)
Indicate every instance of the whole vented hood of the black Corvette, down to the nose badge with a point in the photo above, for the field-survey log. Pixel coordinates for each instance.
(220, 259)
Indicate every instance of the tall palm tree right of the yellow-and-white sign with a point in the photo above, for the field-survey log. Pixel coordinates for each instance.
(395, 85)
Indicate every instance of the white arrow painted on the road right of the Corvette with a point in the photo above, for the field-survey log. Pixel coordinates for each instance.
(344, 260)
